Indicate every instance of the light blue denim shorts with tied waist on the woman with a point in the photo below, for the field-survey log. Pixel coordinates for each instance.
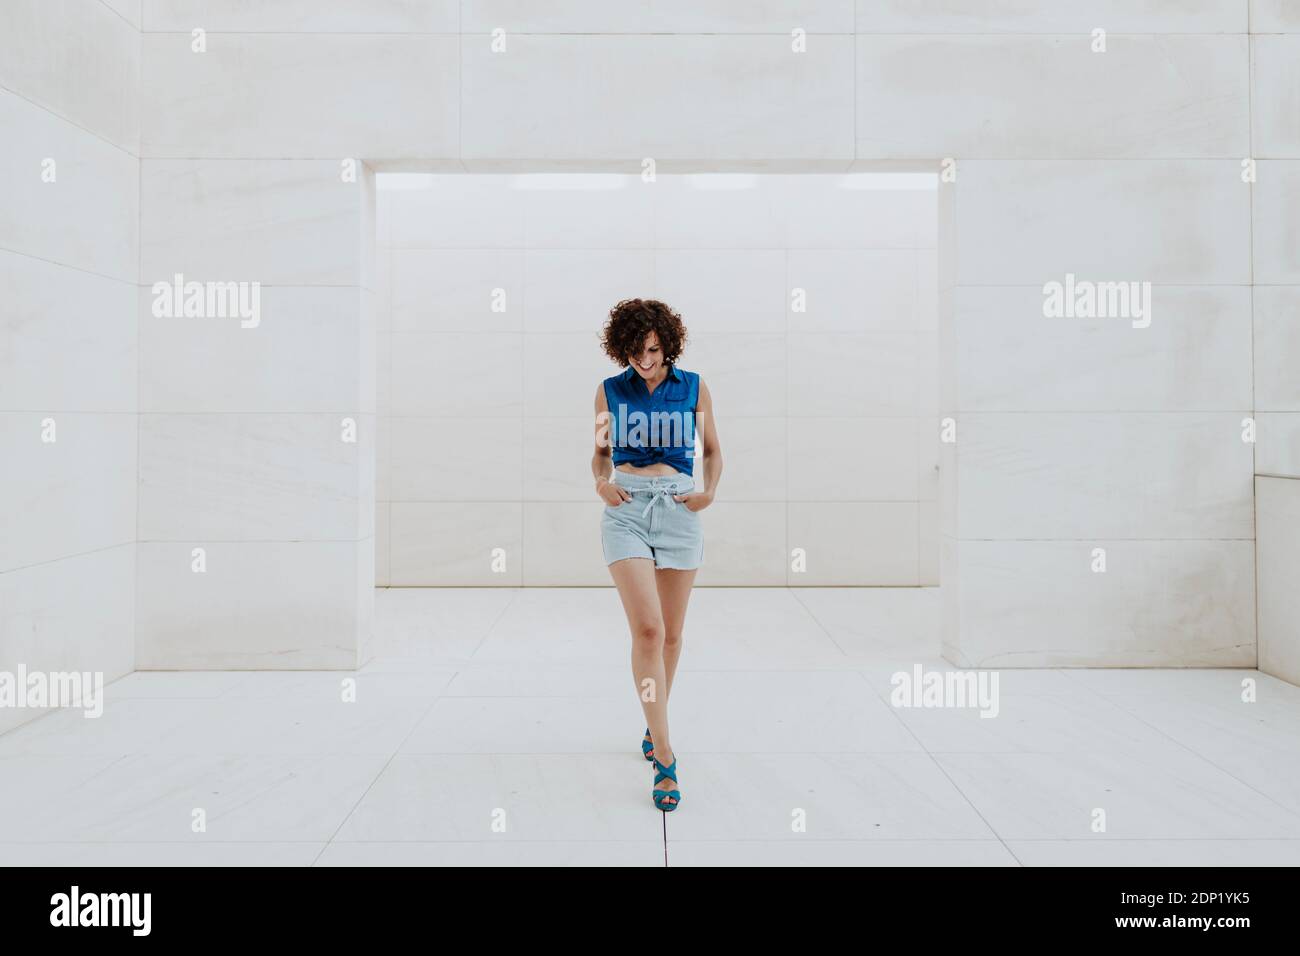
(652, 525)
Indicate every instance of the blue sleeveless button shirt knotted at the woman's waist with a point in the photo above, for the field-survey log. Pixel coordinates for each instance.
(649, 429)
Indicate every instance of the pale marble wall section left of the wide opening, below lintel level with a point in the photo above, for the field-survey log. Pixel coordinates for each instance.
(245, 448)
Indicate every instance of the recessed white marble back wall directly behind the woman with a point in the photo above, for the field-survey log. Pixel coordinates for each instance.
(826, 413)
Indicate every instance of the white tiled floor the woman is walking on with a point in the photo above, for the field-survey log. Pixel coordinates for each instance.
(501, 728)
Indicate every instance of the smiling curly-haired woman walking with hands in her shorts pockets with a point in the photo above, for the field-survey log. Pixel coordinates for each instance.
(645, 429)
